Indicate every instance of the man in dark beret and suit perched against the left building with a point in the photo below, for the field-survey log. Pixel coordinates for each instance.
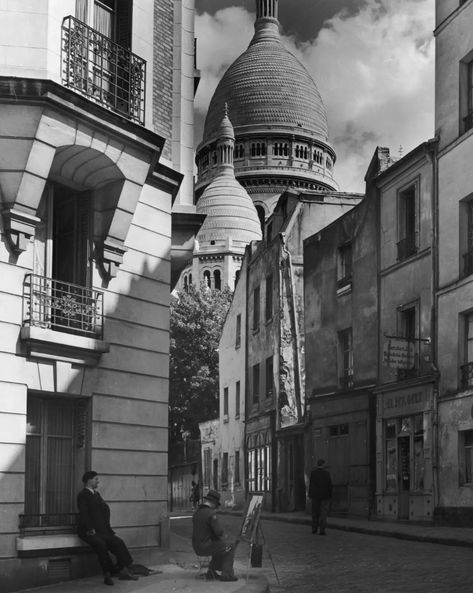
(94, 528)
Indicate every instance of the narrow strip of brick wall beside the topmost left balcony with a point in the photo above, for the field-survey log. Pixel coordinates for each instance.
(162, 71)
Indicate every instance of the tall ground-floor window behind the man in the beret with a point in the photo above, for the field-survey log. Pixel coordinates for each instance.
(54, 458)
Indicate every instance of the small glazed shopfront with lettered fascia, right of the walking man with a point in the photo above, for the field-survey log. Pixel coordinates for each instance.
(404, 478)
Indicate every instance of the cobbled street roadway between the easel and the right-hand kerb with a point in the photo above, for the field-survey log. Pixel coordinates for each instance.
(345, 562)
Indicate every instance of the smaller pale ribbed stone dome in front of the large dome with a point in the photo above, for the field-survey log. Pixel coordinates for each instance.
(230, 212)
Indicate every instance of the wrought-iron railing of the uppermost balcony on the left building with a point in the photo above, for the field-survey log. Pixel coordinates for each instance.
(104, 71)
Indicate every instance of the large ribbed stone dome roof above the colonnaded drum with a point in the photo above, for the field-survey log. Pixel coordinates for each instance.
(267, 85)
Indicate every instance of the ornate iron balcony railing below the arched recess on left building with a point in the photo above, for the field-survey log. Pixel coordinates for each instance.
(60, 306)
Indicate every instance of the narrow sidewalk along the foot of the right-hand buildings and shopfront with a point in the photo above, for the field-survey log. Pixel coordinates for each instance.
(452, 536)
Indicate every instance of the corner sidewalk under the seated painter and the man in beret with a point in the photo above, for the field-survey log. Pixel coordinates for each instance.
(179, 574)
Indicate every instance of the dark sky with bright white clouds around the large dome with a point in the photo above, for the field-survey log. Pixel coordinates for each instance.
(372, 61)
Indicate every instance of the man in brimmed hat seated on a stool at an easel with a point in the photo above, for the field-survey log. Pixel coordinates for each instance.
(207, 539)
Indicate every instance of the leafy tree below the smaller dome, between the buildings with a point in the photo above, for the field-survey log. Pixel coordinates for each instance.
(196, 323)
